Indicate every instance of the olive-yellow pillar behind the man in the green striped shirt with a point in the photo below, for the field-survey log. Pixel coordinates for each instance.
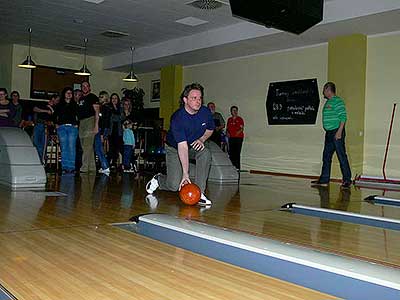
(347, 59)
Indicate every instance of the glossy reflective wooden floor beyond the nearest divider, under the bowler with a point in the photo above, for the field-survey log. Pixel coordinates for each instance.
(253, 206)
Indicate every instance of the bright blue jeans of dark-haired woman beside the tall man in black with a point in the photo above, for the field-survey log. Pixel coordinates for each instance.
(67, 136)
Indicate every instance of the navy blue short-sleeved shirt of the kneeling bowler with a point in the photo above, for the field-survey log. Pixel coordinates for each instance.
(187, 127)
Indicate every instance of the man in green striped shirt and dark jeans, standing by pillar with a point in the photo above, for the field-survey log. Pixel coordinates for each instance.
(334, 118)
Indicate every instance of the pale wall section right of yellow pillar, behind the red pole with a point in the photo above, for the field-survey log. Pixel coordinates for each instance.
(383, 77)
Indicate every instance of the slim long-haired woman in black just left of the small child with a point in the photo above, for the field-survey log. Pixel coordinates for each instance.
(115, 134)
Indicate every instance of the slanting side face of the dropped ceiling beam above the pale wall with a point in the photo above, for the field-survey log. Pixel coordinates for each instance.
(370, 25)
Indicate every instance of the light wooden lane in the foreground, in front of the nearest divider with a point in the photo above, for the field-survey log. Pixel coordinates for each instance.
(103, 262)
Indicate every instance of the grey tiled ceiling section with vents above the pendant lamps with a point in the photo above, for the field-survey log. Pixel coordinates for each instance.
(147, 22)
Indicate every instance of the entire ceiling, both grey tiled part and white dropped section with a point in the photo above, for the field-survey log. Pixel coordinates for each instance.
(159, 40)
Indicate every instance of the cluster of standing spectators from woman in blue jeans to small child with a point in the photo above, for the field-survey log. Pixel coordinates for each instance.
(105, 129)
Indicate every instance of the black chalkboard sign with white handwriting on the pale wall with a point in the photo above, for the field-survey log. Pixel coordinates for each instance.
(293, 102)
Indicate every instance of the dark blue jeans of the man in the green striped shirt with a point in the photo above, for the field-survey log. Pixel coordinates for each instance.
(332, 145)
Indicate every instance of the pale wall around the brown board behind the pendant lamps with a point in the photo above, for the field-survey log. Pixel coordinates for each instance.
(100, 79)
